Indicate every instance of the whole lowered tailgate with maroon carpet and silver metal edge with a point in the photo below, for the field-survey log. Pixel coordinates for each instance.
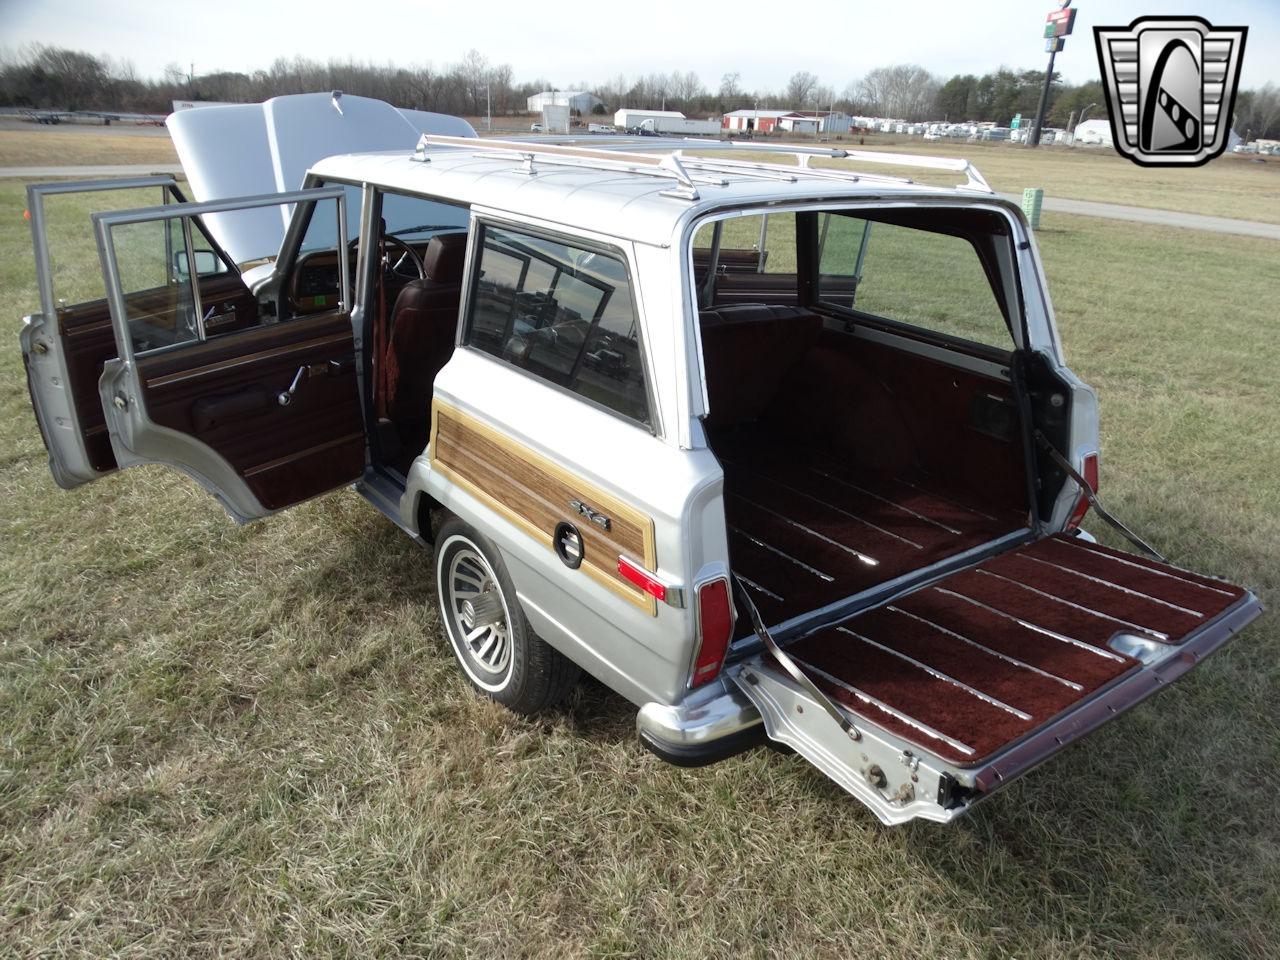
(959, 687)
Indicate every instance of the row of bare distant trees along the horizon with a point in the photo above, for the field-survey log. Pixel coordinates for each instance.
(70, 80)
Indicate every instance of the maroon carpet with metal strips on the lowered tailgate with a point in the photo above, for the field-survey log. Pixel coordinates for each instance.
(986, 656)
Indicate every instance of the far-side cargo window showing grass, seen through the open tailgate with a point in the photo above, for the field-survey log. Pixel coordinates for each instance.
(927, 280)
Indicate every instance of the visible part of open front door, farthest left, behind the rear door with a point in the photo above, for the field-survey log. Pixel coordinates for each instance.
(67, 344)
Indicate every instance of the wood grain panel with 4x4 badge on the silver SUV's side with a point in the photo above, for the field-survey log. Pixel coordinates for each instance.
(536, 493)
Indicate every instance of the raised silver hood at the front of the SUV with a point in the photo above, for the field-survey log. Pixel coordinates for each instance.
(252, 149)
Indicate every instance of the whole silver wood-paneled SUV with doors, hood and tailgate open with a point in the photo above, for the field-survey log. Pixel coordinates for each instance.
(772, 451)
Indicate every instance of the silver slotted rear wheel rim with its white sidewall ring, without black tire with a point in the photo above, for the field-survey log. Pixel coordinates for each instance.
(478, 619)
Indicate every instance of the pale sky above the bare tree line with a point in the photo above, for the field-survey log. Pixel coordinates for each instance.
(766, 43)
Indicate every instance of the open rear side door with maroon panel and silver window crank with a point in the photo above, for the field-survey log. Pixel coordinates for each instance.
(243, 378)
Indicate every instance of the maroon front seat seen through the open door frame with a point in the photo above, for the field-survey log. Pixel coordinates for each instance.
(423, 330)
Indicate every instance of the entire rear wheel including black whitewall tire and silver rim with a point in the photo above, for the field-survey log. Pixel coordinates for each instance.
(491, 637)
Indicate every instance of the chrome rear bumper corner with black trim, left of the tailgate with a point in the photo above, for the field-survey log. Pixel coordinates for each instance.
(710, 725)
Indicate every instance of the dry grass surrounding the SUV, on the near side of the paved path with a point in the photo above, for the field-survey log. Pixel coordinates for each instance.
(253, 742)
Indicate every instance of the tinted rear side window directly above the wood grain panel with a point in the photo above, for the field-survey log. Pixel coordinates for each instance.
(563, 313)
